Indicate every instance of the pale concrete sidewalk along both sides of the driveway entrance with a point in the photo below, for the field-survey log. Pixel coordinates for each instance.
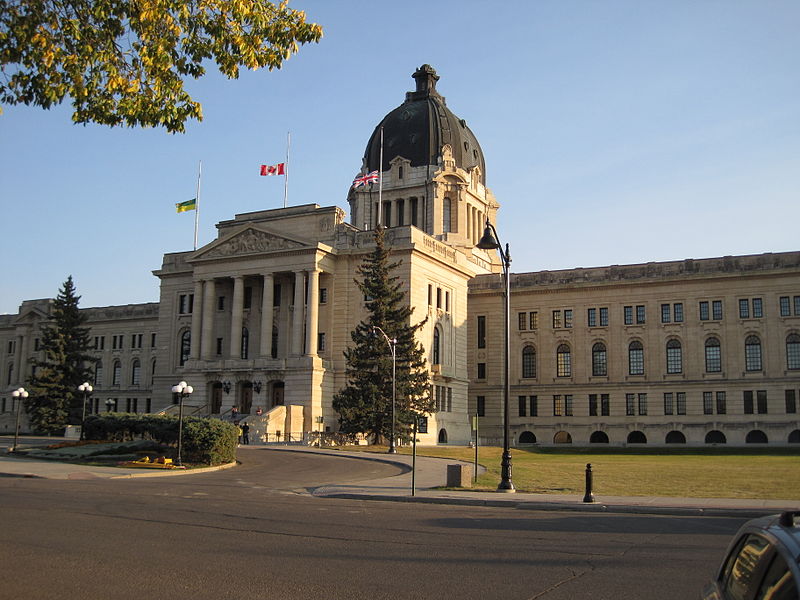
(431, 473)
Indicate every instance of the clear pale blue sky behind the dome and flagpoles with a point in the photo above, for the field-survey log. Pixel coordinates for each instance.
(614, 132)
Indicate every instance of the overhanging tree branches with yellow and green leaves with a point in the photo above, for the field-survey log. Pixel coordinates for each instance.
(124, 62)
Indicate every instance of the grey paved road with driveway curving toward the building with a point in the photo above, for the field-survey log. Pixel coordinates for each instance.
(255, 532)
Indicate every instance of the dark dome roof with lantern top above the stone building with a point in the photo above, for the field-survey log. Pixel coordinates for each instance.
(418, 128)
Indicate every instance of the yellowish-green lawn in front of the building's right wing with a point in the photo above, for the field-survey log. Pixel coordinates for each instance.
(699, 473)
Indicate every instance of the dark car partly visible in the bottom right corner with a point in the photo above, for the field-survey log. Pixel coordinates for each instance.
(762, 562)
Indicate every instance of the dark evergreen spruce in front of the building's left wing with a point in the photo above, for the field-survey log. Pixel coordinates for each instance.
(54, 399)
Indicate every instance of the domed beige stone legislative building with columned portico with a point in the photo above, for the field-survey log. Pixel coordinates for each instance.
(700, 351)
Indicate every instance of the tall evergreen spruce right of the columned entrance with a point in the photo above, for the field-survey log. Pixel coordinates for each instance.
(365, 404)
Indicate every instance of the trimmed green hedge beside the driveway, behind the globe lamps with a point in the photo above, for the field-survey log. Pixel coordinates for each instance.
(205, 441)
